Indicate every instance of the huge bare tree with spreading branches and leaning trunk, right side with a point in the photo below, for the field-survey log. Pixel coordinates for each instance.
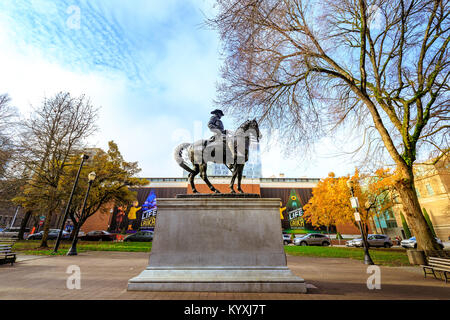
(315, 67)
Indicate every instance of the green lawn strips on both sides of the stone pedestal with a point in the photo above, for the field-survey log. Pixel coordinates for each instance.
(389, 257)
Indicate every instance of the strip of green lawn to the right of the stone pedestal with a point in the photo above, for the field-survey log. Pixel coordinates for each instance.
(380, 256)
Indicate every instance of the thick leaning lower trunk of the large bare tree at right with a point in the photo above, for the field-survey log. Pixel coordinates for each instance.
(413, 212)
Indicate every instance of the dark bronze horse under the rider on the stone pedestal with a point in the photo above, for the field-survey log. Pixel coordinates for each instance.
(232, 150)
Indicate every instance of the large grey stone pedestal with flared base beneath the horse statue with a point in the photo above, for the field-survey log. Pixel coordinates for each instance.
(218, 245)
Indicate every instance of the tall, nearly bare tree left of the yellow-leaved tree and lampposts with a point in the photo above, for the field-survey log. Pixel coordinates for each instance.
(53, 133)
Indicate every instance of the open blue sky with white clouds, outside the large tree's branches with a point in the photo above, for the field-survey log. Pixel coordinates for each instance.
(150, 65)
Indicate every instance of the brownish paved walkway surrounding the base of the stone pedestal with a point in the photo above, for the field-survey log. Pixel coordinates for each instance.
(104, 275)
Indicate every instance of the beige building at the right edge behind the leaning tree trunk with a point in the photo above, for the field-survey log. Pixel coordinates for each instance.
(432, 185)
